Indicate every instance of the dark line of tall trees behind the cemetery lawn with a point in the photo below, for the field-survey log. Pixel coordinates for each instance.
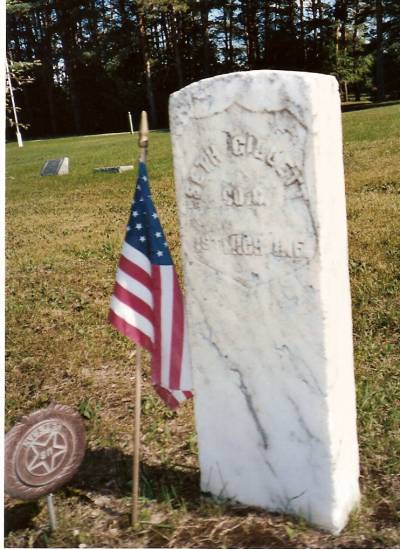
(79, 67)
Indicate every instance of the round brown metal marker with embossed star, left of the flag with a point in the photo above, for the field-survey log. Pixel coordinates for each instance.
(43, 451)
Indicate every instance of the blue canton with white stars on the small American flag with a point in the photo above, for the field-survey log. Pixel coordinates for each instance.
(144, 230)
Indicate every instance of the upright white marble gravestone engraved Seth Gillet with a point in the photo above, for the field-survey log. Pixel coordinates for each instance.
(259, 174)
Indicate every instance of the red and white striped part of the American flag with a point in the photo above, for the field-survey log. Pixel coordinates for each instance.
(147, 306)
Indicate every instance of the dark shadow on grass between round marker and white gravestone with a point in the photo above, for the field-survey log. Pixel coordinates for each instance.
(109, 471)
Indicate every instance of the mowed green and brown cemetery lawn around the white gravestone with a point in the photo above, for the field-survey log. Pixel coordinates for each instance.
(63, 241)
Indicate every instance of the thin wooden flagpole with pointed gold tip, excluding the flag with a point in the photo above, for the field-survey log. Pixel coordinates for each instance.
(143, 143)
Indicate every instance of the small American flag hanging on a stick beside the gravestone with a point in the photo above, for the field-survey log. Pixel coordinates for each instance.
(147, 304)
